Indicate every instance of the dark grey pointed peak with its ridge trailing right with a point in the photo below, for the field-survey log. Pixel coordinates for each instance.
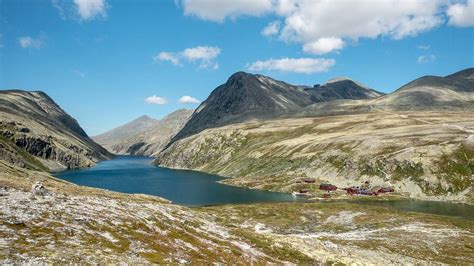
(246, 96)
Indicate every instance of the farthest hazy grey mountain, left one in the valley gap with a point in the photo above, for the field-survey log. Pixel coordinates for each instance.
(121, 133)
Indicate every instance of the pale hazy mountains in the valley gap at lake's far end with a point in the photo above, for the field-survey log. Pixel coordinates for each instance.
(150, 136)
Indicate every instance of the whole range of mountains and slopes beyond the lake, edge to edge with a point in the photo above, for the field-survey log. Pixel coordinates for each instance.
(264, 132)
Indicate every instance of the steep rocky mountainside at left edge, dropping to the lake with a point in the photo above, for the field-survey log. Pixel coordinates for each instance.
(36, 133)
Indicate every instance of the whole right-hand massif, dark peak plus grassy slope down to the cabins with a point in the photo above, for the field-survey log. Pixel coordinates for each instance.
(418, 138)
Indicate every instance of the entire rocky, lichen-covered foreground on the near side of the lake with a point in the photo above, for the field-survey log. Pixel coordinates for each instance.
(43, 219)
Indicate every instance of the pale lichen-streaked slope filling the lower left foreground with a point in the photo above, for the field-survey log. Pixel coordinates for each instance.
(60, 222)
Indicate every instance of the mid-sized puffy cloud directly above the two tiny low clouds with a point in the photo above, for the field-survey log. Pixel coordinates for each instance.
(205, 56)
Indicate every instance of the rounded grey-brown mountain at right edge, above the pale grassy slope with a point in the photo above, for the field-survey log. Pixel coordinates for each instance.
(454, 92)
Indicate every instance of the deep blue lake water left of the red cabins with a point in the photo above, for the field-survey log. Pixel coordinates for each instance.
(132, 174)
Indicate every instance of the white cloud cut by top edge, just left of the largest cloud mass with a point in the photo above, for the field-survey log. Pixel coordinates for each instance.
(219, 10)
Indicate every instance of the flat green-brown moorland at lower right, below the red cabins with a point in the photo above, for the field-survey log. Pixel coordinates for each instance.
(350, 234)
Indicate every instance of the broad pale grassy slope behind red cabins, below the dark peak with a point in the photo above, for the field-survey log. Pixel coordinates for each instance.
(424, 155)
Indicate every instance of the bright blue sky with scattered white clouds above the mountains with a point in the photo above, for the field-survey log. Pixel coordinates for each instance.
(106, 62)
